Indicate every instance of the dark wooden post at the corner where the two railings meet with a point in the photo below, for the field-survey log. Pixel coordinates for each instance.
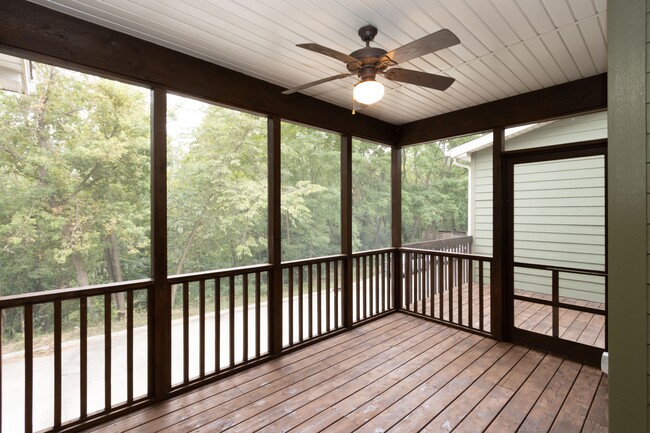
(396, 223)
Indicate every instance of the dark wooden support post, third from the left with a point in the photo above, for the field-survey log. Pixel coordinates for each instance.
(346, 226)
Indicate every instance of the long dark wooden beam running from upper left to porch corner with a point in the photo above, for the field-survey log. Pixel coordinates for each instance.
(43, 34)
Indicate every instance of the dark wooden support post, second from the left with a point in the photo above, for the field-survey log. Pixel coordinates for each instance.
(275, 234)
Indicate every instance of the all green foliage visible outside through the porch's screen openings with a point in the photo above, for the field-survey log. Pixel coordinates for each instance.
(75, 171)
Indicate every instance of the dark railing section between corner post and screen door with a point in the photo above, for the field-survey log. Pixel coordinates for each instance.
(448, 287)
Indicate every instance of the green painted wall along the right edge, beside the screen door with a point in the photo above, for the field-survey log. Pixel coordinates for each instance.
(627, 212)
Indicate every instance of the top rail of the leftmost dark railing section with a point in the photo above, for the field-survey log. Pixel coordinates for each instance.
(22, 299)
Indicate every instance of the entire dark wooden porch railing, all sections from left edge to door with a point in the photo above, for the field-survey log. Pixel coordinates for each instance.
(221, 323)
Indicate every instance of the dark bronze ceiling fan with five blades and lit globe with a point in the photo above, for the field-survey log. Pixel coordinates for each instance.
(369, 61)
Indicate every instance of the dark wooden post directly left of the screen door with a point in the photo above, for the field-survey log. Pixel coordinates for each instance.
(499, 322)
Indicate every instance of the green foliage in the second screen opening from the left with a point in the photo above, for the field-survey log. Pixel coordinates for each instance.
(217, 191)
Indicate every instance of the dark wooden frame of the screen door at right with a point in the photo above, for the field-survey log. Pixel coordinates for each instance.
(577, 351)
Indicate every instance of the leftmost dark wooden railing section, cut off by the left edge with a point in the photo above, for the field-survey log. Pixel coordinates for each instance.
(93, 359)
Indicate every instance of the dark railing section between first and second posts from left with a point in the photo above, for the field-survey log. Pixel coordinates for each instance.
(223, 321)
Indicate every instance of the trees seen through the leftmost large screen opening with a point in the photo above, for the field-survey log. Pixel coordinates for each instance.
(74, 166)
